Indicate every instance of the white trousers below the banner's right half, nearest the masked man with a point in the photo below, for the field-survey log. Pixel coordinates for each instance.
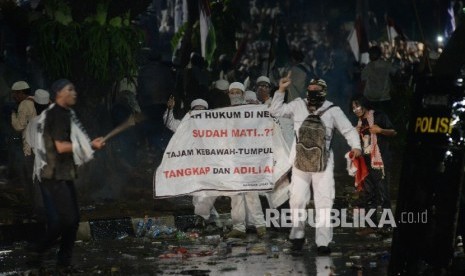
(246, 208)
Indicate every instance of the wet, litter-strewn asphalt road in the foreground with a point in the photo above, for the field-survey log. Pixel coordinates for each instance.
(208, 255)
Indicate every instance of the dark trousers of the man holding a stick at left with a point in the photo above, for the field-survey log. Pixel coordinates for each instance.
(62, 217)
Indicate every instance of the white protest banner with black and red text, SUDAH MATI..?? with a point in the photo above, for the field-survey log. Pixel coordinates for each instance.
(223, 151)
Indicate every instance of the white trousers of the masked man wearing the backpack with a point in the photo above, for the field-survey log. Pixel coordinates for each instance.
(299, 196)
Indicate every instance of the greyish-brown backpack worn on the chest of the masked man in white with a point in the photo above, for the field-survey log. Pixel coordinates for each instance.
(311, 152)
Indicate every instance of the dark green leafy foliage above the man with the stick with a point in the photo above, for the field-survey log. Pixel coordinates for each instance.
(102, 48)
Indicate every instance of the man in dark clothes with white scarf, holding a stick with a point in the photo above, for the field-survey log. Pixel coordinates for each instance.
(60, 144)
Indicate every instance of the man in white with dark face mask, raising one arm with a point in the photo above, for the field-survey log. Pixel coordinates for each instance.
(322, 182)
